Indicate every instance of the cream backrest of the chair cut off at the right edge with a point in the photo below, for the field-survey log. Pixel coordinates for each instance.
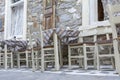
(114, 18)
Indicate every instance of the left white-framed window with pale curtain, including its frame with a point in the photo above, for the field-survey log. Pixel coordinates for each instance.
(16, 19)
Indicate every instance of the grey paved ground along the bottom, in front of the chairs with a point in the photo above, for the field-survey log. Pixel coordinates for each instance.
(29, 75)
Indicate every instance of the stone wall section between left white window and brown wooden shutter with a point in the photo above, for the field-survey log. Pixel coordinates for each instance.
(34, 11)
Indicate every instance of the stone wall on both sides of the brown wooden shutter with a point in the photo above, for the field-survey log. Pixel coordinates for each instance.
(68, 12)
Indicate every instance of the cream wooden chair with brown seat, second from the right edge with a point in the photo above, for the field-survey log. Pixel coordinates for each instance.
(104, 50)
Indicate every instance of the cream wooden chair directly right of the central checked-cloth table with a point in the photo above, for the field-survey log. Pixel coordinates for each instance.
(85, 50)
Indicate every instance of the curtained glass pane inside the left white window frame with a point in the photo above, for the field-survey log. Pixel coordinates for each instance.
(17, 21)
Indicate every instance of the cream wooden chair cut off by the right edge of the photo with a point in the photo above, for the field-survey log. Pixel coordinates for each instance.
(114, 18)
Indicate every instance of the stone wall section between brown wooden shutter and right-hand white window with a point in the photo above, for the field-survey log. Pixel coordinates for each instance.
(69, 13)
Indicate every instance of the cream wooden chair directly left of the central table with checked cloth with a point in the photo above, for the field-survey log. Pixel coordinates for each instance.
(46, 55)
